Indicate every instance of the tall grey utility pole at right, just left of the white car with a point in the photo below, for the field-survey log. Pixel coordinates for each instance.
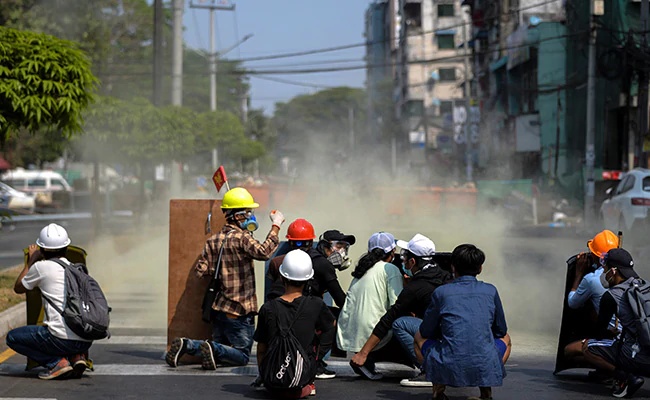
(590, 153)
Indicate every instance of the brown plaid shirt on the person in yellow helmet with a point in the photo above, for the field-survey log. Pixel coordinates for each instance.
(237, 274)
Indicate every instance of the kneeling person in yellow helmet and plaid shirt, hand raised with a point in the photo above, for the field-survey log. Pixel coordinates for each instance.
(229, 254)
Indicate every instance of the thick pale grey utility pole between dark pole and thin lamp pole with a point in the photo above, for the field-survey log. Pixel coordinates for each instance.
(176, 185)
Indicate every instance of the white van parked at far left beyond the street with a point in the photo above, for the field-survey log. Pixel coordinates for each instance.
(41, 184)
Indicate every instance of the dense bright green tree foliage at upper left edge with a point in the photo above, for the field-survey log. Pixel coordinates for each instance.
(44, 82)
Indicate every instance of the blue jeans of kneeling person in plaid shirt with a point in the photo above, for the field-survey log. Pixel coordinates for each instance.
(232, 339)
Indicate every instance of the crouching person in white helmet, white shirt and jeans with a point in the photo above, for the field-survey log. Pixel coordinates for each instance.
(54, 346)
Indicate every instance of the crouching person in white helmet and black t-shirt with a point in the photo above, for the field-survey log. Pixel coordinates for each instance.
(305, 315)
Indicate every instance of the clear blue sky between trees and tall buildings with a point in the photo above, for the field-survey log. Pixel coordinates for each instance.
(282, 26)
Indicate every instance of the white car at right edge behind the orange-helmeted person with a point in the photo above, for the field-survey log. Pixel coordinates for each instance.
(626, 206)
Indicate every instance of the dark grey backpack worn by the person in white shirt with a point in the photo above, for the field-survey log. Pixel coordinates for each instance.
(85, 309)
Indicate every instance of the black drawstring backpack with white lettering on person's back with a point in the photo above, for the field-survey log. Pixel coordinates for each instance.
(286, 364)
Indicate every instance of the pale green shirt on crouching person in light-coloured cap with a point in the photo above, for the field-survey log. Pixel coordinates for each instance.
(366, 302)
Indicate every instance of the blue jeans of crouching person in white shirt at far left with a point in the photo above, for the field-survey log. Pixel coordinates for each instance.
(37, 343)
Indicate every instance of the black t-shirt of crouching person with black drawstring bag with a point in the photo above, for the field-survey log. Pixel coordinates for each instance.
(314, 315)
